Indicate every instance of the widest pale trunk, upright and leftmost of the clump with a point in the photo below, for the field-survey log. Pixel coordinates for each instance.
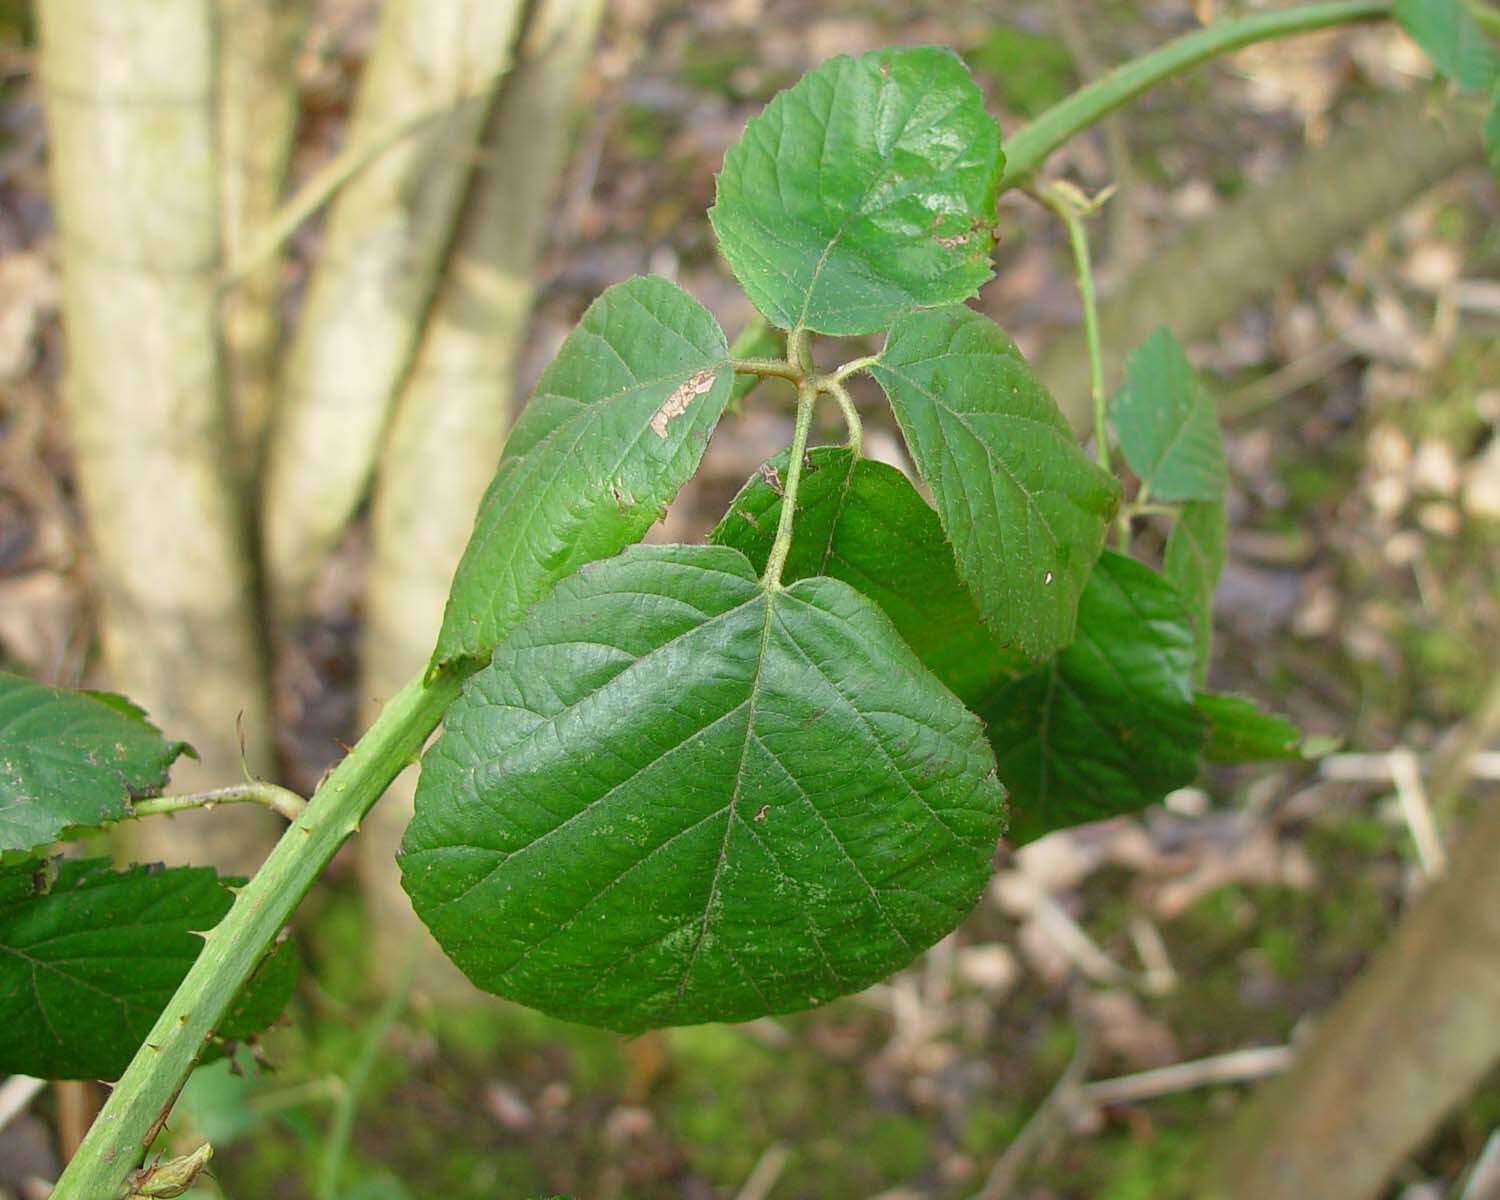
(130, 92)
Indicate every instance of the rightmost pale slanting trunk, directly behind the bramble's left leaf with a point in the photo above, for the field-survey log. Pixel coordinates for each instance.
(451, 424)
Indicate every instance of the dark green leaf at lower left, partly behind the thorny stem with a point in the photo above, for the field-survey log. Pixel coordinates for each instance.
(89, 958)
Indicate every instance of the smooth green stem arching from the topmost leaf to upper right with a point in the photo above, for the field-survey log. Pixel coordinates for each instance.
(1034, 143)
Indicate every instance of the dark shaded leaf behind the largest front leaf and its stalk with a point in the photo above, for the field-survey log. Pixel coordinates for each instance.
(863, 523)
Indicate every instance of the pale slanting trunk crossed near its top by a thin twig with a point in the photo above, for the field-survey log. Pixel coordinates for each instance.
(388, 233)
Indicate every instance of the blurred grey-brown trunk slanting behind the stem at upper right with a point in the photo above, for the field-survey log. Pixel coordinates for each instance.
(1363, 175)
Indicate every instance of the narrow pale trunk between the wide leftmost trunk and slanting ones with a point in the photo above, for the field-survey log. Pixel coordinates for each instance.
(259, 43)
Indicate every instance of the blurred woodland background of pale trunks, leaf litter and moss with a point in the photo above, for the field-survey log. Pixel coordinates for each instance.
(275, 277)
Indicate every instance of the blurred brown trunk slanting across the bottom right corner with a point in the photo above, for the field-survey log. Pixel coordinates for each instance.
(1406, 1043)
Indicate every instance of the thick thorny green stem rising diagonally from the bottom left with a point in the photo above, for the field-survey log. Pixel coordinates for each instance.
(235, 949)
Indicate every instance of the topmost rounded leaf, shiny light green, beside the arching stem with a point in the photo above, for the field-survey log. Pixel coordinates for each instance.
(862, 193)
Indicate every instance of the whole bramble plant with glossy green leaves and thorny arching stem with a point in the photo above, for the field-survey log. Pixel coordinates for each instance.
(707, 784)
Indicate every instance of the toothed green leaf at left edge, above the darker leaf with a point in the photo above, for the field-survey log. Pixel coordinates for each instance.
(73, 760)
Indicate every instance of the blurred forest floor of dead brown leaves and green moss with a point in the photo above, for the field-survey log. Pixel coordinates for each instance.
(1363, 598)
